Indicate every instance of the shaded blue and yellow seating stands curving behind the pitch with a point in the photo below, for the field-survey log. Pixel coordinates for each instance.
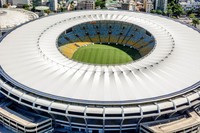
(109, 32)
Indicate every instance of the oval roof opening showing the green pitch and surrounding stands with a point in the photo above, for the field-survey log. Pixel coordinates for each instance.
(105, 42)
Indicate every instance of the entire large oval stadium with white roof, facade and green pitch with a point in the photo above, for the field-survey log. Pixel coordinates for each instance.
(101, 71)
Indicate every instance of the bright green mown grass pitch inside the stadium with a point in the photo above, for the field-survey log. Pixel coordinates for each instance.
(101, 54)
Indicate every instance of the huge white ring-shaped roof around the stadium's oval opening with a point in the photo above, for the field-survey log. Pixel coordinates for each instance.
(29, 55)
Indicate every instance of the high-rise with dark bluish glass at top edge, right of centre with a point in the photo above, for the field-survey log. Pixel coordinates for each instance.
(160, 5)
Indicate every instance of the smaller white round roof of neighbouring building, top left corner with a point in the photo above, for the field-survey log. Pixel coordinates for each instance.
(10, 18)
